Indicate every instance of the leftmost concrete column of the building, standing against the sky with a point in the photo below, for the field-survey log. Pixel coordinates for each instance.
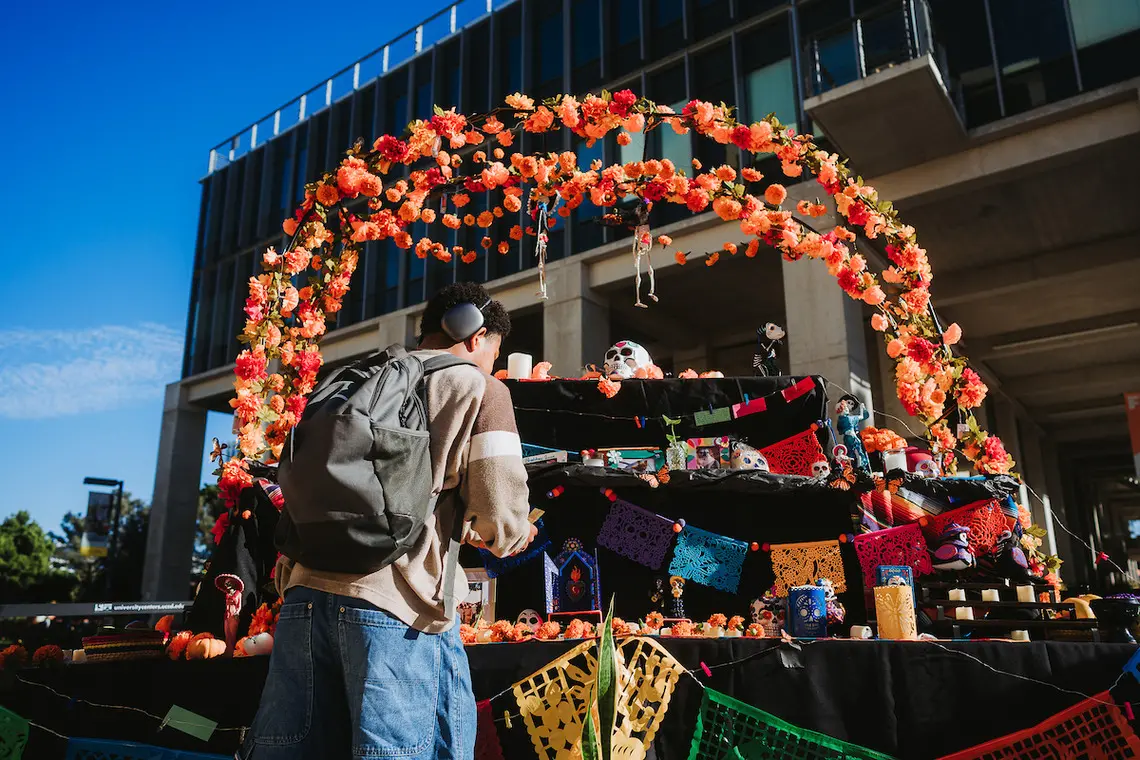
(175, 505)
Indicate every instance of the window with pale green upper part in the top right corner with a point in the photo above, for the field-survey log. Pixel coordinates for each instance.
(1108, 35)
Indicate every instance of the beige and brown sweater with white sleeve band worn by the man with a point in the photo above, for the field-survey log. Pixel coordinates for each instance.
(477, 456)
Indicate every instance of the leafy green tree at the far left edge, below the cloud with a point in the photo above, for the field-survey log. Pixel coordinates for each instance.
(26, 563)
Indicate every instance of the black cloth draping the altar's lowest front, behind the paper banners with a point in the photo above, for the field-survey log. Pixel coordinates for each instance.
(909, 700)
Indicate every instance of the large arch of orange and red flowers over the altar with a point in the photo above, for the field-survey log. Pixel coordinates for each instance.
(357, 203)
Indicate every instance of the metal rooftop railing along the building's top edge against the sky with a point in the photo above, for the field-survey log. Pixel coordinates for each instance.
(389, 56)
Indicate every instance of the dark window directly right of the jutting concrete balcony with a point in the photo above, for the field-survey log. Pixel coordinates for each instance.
(1035, 55)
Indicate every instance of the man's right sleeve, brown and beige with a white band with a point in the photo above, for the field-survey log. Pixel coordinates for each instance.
(495, 486)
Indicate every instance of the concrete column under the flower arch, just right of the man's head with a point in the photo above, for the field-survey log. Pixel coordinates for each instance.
(576, 321)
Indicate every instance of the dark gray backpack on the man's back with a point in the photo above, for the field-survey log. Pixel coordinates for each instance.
(356, 472)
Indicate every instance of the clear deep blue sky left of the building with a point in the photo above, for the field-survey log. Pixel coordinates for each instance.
(110, 113)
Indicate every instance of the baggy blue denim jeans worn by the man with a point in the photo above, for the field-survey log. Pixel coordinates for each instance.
(349, 681)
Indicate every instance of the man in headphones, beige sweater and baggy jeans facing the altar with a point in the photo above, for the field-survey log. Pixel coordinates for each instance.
(372, 666)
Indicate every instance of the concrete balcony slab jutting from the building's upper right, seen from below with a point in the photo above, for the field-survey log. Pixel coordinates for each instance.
(891, 120)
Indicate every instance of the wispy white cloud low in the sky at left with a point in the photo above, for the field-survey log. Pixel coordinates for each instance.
(58, 373)
